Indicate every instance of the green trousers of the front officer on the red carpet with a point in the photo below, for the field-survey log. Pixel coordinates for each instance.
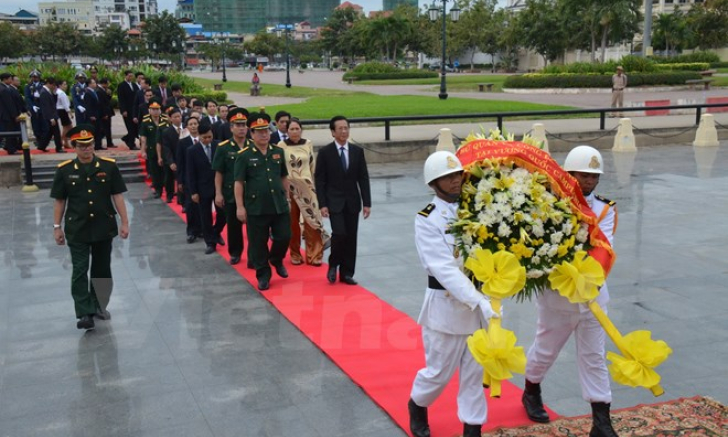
(260, 227)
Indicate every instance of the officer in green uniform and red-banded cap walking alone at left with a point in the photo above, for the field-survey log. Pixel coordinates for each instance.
(89, 191)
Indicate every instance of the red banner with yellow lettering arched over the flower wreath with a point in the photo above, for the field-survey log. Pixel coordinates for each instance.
(563, 184)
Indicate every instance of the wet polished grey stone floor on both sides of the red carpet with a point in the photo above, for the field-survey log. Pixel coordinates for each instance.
(193, 350)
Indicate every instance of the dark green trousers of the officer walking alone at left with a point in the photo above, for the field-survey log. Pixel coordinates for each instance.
(87, 294)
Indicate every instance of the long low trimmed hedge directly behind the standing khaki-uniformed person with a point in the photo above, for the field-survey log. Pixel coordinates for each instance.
(596, 80)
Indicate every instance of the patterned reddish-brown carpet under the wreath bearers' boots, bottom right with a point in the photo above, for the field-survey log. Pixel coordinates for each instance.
(693, 417)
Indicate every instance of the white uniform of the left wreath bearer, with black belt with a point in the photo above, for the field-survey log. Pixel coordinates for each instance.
(447, 318)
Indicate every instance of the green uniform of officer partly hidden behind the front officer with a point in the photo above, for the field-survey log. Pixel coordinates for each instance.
(224, 163)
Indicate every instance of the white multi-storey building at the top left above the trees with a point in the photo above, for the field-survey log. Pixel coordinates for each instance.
(93, 16)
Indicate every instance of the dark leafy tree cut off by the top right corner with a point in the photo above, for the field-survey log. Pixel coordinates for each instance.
(709, 22)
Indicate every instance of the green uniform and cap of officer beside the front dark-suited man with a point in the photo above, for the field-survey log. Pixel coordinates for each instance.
(266, 202)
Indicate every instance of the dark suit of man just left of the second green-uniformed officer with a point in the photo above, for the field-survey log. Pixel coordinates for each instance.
(201, 180)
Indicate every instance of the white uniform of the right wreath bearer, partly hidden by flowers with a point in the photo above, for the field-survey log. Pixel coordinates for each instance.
(557, 319)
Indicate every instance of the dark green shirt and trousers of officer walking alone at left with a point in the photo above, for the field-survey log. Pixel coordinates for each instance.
(90, 226)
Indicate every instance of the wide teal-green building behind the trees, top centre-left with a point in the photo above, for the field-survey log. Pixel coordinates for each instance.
(252, 16)
